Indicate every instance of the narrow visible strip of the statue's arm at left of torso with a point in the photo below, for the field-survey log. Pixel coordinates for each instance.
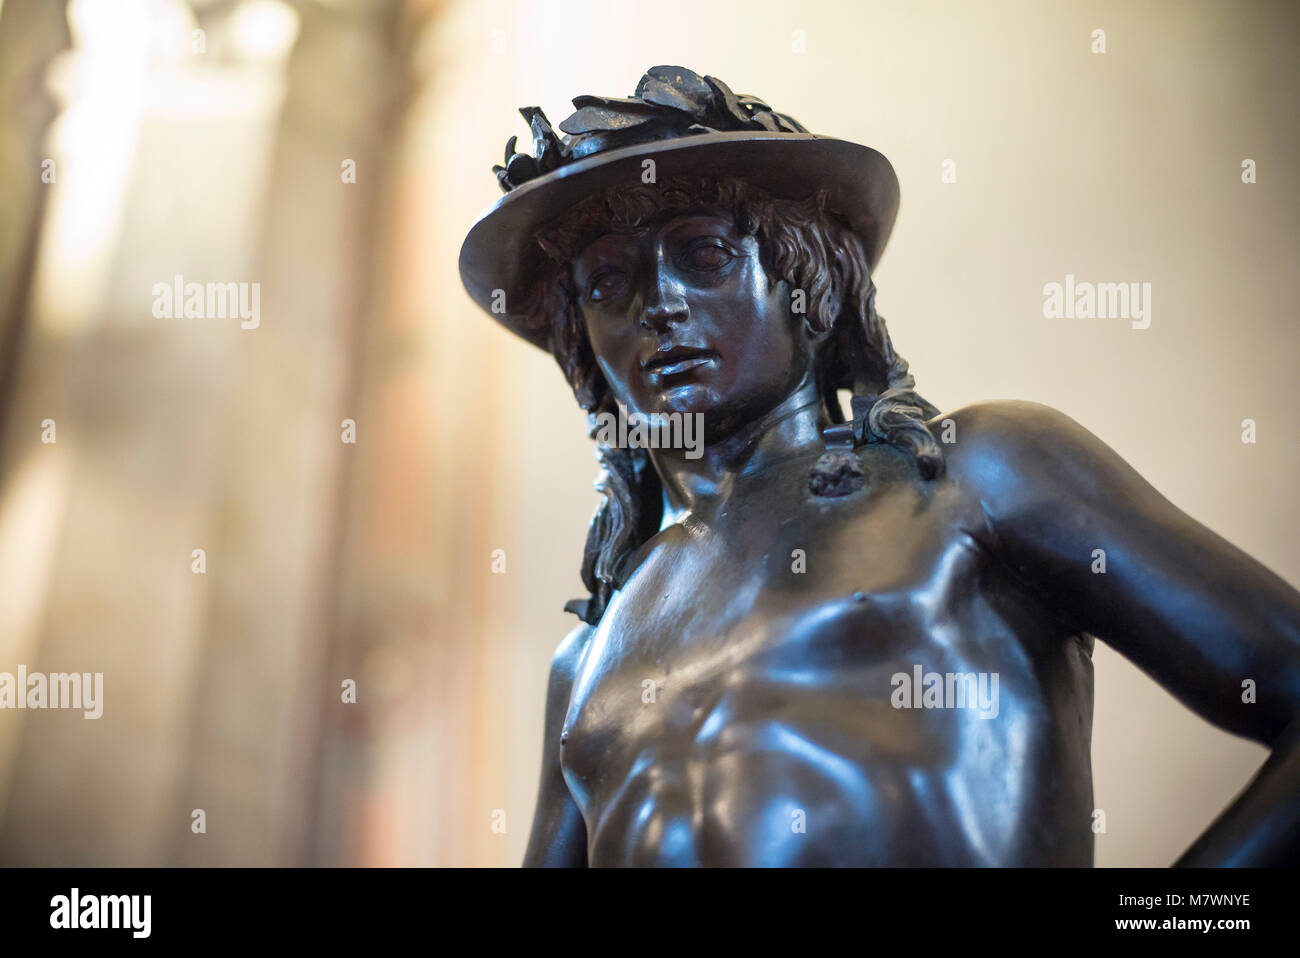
(558, 838)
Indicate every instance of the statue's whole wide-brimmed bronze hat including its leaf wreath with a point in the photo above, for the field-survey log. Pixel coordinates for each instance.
(688, 125)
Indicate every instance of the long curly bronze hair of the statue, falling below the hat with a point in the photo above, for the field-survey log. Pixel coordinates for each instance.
(801, 242)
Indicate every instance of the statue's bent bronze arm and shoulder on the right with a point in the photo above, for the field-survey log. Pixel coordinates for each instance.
(1211, 625)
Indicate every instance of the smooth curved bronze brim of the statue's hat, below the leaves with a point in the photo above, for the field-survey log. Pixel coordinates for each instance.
(500, 253)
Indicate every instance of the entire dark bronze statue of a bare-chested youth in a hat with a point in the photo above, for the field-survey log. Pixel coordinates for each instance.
(777, 595)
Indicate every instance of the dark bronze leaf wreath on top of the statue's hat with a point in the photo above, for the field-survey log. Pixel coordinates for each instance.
(670, 102)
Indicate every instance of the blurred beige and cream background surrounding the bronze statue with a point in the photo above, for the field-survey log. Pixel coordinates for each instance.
(141, 140)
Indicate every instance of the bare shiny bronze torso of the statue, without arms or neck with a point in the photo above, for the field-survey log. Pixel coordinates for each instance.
(736, 704)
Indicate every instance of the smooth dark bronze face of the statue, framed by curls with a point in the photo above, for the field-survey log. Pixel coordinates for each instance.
(683, 318)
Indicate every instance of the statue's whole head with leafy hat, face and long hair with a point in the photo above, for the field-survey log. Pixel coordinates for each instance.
(692, 252)
